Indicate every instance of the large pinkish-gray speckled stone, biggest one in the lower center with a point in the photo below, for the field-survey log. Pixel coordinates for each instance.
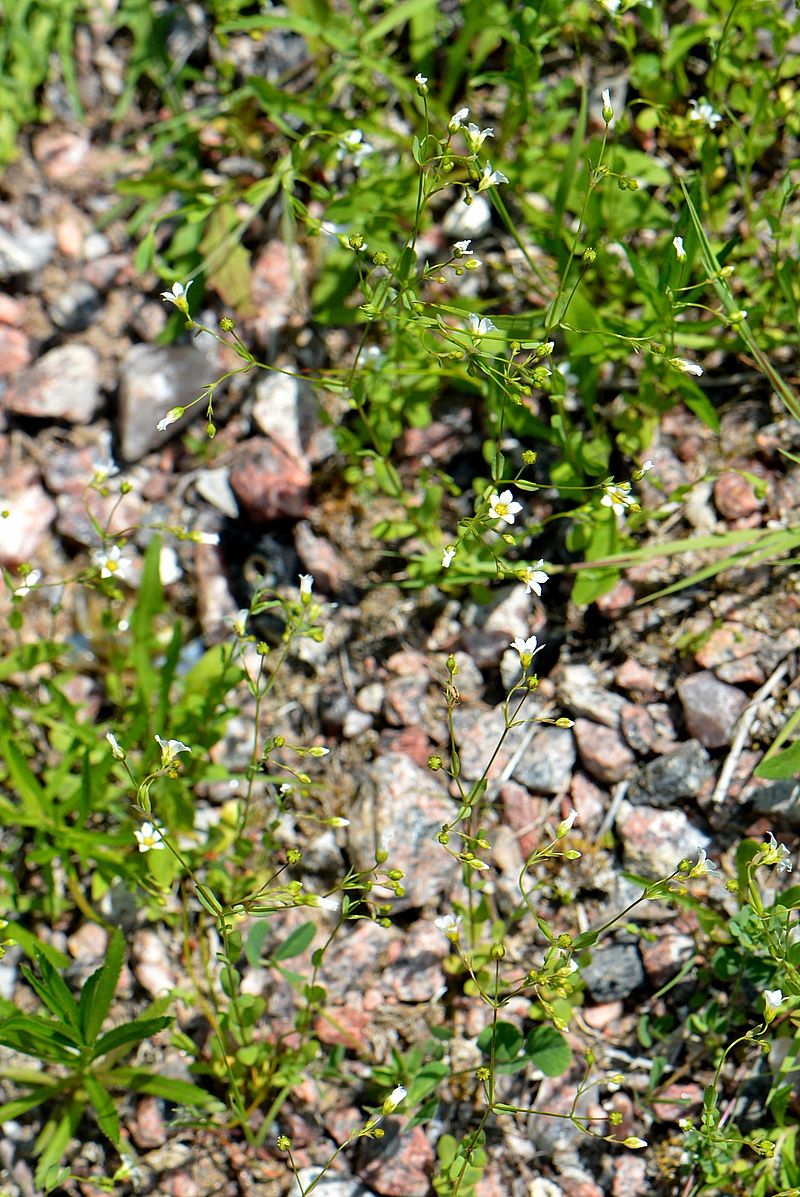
(401, 807)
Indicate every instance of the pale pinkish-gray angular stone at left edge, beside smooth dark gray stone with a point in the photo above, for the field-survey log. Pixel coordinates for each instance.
(62, 386)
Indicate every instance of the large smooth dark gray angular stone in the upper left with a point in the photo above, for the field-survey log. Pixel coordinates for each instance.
(154, 380)
